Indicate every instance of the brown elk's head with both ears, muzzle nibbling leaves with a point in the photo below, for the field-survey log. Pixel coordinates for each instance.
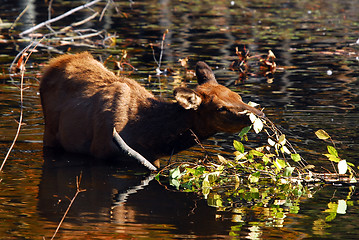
(217, 108)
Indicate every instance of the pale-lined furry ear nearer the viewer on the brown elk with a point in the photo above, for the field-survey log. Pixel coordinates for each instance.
(187, 98)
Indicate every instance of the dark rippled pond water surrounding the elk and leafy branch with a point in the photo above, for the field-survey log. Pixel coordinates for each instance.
(315, 86)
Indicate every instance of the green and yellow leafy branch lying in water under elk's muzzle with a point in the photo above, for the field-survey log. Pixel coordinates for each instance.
(272, 174)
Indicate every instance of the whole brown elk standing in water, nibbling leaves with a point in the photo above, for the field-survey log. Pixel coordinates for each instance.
(83, 102)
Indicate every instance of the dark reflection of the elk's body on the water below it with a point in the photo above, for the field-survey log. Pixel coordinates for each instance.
(123, 198)
